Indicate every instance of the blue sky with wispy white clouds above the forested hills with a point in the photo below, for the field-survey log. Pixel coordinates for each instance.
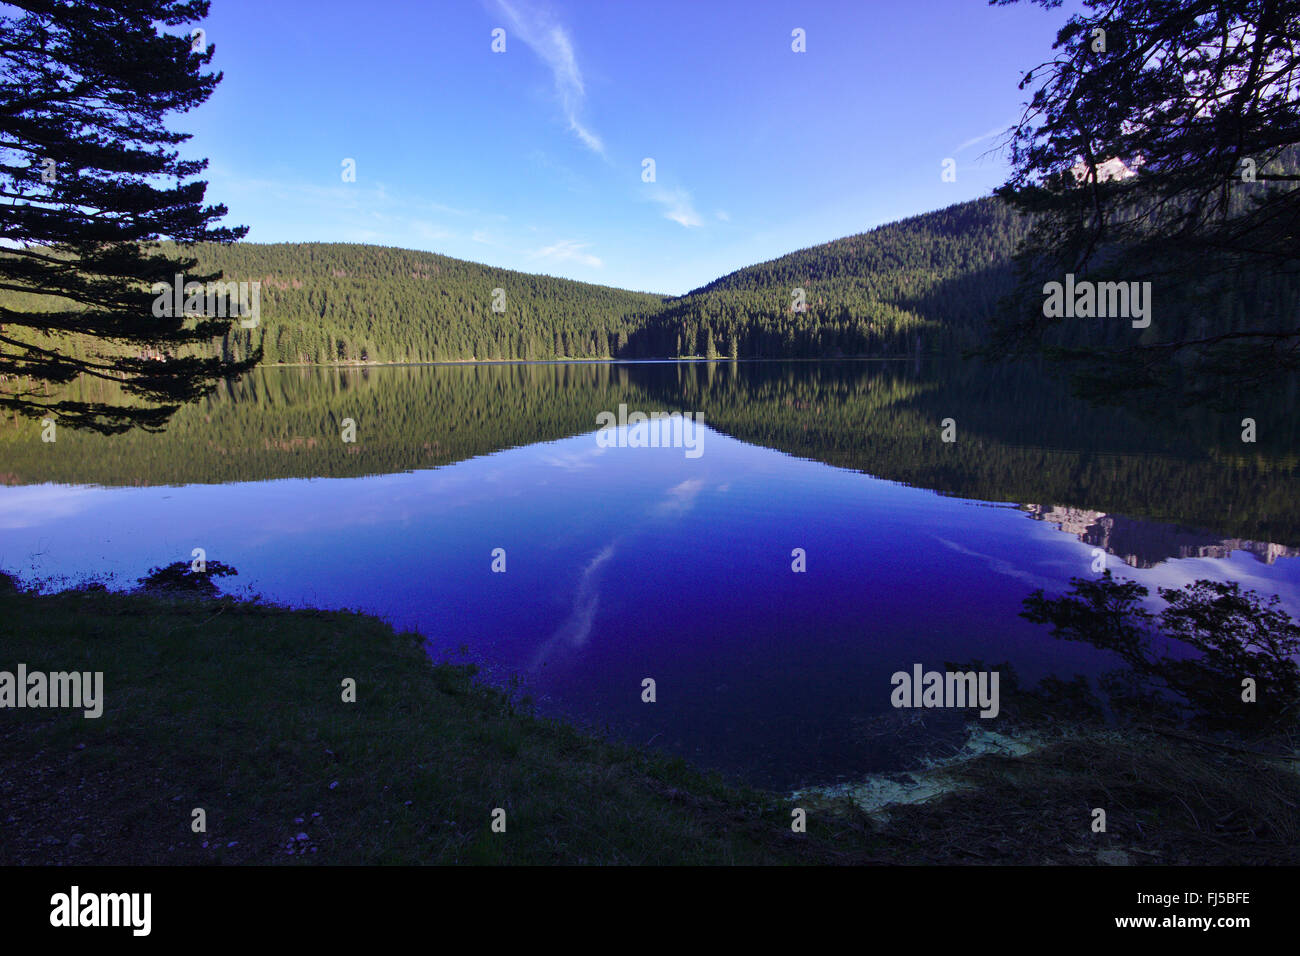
(532, 159)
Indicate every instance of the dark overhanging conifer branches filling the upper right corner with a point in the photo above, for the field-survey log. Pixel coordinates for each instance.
(1198, 98)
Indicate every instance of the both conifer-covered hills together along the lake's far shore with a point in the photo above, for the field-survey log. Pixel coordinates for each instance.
(935, 278)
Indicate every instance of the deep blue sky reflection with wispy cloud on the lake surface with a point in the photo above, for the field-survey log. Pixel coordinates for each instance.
(626, 564)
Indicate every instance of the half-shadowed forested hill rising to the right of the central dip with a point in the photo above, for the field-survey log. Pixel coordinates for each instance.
(937, 278)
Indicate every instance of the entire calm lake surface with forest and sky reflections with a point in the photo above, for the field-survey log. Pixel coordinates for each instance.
(625, 564)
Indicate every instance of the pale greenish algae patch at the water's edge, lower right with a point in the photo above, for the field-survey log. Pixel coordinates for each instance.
(876, 794)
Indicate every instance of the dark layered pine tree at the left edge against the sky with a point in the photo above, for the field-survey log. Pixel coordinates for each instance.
(92, 181)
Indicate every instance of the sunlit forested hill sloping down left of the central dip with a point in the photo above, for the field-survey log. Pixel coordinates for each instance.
(343, 302)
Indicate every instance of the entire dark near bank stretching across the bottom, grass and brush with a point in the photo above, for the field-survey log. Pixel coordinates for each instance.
(237, 708)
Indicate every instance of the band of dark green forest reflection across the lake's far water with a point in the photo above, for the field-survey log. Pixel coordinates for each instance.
(1020, 438)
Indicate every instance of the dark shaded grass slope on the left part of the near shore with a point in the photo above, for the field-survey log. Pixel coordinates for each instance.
(237, 708)
